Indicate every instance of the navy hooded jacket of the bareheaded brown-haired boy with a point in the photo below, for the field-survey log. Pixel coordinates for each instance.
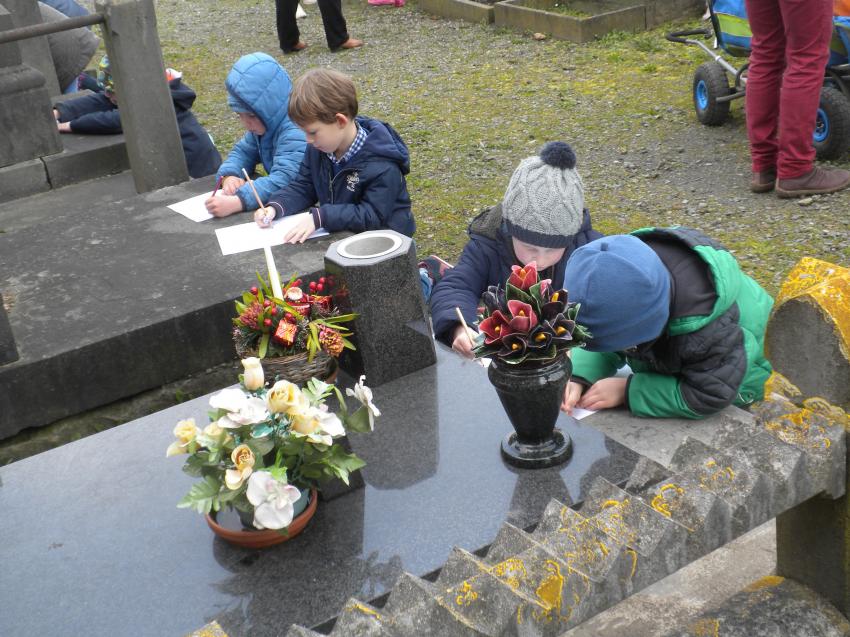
(369, 191)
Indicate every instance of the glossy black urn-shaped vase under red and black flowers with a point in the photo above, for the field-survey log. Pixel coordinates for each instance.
(531, 397)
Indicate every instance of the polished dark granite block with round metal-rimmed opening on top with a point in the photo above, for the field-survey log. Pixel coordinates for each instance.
(377, 277)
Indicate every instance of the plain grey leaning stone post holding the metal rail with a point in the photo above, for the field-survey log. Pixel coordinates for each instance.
(147, 112)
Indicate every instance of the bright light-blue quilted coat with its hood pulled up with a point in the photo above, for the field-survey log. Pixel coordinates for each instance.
(262, 85)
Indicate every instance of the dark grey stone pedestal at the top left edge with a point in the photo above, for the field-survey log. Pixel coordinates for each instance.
(26, 118)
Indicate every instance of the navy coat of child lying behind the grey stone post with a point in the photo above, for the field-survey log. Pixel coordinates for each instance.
(96, 114)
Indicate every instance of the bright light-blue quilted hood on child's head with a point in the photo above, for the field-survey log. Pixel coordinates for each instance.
(263, 86)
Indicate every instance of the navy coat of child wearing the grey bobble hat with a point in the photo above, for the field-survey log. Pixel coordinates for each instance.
(486, 260)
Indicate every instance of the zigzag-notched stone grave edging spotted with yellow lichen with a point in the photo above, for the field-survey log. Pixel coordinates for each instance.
(578, 562)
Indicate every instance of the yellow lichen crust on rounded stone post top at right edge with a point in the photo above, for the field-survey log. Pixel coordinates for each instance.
(828, 286)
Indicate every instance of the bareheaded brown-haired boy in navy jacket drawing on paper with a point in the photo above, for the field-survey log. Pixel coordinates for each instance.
(353, 169)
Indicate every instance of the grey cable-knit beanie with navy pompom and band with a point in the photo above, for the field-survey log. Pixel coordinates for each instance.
(544, 202)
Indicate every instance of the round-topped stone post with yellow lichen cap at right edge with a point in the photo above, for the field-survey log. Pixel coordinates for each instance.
(808, 340)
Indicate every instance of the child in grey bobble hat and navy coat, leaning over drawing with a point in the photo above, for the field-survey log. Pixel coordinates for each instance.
(542, 218)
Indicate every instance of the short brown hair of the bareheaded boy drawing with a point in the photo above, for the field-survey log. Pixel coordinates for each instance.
(319, 94)
